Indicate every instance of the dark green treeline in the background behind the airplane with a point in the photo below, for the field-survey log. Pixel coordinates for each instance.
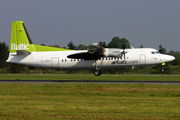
(116, 42)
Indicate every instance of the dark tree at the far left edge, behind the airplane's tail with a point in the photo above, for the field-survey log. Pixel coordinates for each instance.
(3, 55)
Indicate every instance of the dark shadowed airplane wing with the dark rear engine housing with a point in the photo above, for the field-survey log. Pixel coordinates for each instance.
(95, 51)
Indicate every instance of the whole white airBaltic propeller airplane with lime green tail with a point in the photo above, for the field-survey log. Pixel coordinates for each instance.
(23, 51)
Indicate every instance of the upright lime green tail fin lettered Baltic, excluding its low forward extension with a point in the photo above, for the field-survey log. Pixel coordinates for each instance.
(20, 39)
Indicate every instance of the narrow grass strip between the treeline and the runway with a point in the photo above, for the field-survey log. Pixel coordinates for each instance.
(89, 77)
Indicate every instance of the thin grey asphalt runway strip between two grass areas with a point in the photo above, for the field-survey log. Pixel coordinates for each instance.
(90, 81)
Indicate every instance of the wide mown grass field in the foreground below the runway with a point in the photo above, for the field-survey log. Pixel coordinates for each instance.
(89, 101)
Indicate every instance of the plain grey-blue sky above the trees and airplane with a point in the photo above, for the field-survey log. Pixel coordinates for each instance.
(57, 22)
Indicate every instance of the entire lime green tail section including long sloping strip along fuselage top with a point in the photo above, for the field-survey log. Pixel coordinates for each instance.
(20, 40)
